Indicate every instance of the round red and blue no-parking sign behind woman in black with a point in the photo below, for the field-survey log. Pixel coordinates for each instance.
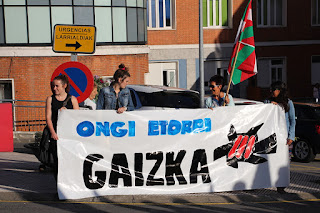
(80, 78)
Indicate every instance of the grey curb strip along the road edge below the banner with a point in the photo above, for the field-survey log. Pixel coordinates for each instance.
(185, 199)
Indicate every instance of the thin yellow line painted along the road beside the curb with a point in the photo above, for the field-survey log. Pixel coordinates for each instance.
(160, 204)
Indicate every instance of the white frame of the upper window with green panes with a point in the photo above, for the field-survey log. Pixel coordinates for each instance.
(220, 15)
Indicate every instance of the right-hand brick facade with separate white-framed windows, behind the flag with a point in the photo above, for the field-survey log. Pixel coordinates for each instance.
(287, 38)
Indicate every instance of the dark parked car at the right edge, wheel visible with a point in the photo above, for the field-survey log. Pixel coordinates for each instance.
(307, 143)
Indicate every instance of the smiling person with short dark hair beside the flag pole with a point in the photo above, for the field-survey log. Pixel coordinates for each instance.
(218, 97)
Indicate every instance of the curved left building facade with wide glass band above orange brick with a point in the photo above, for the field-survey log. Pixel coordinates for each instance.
(26, 36)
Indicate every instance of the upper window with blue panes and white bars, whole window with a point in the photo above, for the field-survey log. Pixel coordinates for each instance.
(160, 14)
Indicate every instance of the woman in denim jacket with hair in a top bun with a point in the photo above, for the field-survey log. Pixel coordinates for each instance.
(117, 95)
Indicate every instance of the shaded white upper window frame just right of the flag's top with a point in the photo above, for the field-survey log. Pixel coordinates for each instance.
(283, 14)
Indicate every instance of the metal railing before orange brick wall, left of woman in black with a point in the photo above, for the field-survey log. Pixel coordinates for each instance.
(28, 115)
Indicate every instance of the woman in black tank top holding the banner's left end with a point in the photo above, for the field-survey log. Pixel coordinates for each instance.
(59, 100)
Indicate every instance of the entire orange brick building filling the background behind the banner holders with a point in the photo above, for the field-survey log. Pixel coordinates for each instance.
(158, 41)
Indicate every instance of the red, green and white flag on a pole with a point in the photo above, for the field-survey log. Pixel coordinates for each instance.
(244, 50)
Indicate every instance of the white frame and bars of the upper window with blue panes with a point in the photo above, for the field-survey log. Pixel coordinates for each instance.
(172, 15)
